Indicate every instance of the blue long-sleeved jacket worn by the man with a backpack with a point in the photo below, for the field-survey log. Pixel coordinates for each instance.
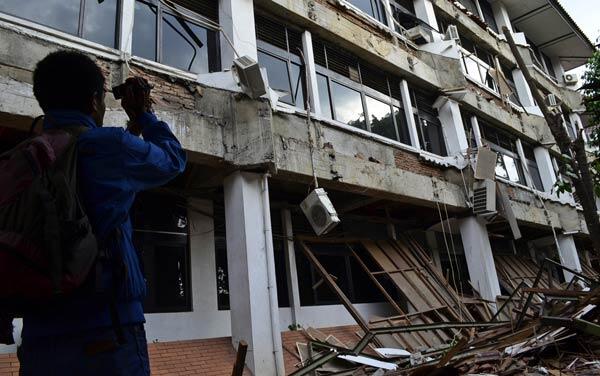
(113, 166)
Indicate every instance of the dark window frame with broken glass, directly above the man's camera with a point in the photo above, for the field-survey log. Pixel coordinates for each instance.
(214, 61)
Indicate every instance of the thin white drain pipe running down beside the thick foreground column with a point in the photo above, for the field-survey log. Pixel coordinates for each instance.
(271, 281)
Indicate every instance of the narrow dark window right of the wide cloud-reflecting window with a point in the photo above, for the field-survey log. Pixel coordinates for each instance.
(429, 127)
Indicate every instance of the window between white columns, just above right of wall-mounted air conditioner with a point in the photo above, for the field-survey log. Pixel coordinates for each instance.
(508, 164)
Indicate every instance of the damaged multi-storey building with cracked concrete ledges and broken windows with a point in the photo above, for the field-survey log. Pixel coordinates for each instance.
(421, 129)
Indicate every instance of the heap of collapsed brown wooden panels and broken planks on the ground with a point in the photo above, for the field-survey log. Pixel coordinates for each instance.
(443, 329)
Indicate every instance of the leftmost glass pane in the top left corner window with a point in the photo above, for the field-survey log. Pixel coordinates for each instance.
(59, 14)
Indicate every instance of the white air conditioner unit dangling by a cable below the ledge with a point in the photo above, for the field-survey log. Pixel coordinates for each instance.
(320, 211)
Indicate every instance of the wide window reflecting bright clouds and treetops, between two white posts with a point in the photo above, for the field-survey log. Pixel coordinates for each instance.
(354, 92)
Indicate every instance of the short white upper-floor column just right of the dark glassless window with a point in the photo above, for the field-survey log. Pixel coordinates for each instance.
(452, 125)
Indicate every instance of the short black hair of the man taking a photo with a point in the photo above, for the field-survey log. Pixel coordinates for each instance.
(66, 80)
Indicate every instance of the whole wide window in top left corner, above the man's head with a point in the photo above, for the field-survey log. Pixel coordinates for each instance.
(89, 19)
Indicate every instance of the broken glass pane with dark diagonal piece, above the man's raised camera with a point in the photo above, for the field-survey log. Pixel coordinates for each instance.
(184, 44)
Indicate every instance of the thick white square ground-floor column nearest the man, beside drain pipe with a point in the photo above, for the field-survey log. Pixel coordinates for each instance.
(251, 313)
